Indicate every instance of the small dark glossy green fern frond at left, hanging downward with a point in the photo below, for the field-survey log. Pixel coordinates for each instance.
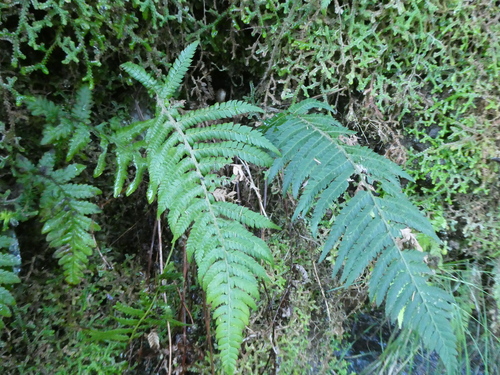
(65, 212)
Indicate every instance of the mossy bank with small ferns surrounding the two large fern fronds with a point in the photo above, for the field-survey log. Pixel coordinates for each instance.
(417, 80)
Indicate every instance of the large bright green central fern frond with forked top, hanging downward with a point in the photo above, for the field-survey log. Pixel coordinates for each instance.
(182, 161)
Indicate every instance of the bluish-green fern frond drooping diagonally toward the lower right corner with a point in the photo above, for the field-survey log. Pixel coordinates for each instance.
(319, 162)
